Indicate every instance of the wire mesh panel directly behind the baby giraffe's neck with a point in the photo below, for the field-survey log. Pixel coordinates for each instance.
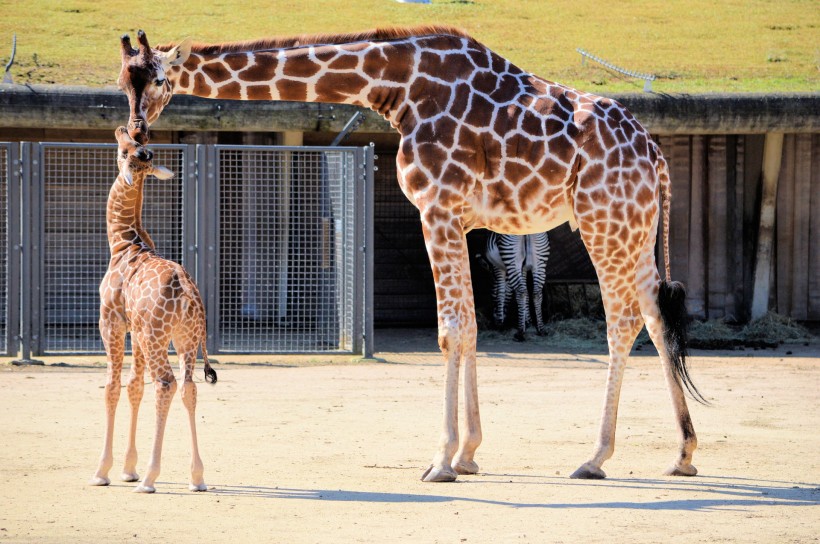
(75, 180)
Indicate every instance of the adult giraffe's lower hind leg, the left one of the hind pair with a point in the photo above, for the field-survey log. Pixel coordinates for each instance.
(621, 333)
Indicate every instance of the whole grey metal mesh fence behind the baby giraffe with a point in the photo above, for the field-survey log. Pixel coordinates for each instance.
(273, 236)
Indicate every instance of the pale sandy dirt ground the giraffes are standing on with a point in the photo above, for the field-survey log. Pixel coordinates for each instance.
(328, 449)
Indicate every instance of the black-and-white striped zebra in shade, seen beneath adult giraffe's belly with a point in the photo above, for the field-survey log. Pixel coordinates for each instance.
(510, 258)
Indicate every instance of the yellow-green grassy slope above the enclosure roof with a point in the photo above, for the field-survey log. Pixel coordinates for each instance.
(693, 46)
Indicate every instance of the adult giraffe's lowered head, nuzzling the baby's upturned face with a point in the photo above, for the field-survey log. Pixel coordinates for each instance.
(142, 78)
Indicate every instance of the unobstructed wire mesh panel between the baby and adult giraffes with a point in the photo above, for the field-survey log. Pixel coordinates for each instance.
(285, 266)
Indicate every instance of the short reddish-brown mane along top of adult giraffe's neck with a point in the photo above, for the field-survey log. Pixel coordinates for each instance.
(378, 34)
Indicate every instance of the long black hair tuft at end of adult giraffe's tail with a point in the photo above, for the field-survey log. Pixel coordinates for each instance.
(672, 303)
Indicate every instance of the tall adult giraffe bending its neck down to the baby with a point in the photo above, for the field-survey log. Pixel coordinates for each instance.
(483, 145)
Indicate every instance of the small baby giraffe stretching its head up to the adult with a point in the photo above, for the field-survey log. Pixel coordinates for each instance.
(157, 301)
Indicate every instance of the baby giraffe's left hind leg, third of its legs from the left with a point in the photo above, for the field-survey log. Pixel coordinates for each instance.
(165, 386)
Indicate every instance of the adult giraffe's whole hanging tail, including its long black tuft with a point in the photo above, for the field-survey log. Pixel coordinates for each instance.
(672, 296)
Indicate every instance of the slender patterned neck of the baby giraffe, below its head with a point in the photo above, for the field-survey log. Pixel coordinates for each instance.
(124, 218)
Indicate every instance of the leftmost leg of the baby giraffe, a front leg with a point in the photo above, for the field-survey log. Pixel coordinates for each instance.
(113, 335)
